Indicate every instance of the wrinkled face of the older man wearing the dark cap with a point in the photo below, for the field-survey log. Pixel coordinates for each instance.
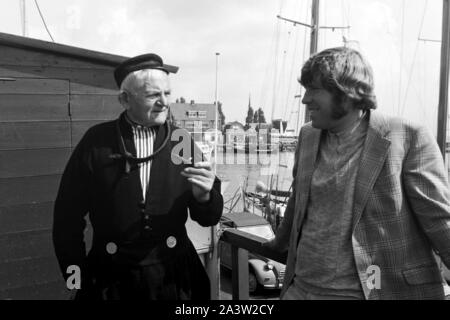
(148, 98)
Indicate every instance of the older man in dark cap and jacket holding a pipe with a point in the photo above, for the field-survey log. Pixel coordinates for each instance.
(122, 173)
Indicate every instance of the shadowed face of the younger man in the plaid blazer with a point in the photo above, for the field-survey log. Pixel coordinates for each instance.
(323, 107)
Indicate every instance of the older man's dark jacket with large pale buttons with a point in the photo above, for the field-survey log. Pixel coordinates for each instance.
(96, 182)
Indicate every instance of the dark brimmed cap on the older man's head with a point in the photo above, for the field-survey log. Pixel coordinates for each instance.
(144, 61)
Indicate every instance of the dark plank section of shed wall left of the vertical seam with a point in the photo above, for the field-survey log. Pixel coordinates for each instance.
(34, 145)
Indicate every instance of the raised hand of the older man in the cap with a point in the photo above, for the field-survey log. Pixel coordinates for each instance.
(202, 179)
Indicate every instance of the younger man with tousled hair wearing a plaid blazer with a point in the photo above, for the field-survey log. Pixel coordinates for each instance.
(370, 203)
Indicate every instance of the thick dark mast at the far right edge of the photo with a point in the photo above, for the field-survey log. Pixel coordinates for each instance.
(444, 78)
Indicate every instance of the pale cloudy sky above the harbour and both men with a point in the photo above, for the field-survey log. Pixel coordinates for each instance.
(260, 56)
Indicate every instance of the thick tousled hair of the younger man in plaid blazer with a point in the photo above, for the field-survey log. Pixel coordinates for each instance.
(344, 72)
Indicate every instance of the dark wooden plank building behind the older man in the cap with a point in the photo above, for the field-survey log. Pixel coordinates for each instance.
(49, 95)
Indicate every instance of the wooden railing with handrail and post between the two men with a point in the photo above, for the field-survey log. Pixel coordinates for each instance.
(241, 243)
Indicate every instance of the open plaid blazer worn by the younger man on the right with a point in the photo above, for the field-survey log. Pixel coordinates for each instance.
(401, 213)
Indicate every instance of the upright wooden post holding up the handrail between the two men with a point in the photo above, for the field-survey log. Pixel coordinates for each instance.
(239, 273)
